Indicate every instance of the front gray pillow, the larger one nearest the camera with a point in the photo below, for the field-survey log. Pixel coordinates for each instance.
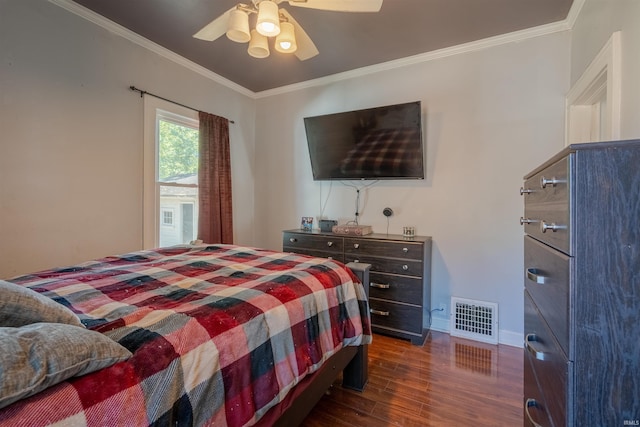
(37, 356)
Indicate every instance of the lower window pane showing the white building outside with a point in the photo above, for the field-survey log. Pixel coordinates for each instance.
(181, 204)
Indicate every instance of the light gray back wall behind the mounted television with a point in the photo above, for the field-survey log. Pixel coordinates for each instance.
(490, 117)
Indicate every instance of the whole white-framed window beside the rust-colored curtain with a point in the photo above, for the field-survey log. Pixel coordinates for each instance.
(171, 174)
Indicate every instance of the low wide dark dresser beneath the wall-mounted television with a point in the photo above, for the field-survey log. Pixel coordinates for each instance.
(400, 276)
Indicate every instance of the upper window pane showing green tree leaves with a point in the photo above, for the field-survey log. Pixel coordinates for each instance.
(177, 151)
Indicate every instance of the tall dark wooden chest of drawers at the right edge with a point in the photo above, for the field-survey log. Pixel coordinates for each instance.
(582, 287)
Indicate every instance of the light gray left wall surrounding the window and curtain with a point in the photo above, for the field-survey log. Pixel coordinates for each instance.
(71, 137)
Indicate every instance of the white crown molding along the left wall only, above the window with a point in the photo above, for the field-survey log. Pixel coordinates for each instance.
(148, 44)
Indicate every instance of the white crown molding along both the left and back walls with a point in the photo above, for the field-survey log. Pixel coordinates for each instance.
(514, 37)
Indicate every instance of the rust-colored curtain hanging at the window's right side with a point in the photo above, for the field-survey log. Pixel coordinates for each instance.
(215, 223)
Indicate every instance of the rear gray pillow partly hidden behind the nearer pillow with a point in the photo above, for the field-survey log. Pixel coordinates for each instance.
(21, 306)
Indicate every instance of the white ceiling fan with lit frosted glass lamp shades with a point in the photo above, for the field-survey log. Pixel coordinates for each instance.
(273, 21)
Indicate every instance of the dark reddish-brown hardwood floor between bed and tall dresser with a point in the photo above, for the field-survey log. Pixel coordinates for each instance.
(447, 382)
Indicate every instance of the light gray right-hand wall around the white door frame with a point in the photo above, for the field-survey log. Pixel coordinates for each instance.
(599, 19)
